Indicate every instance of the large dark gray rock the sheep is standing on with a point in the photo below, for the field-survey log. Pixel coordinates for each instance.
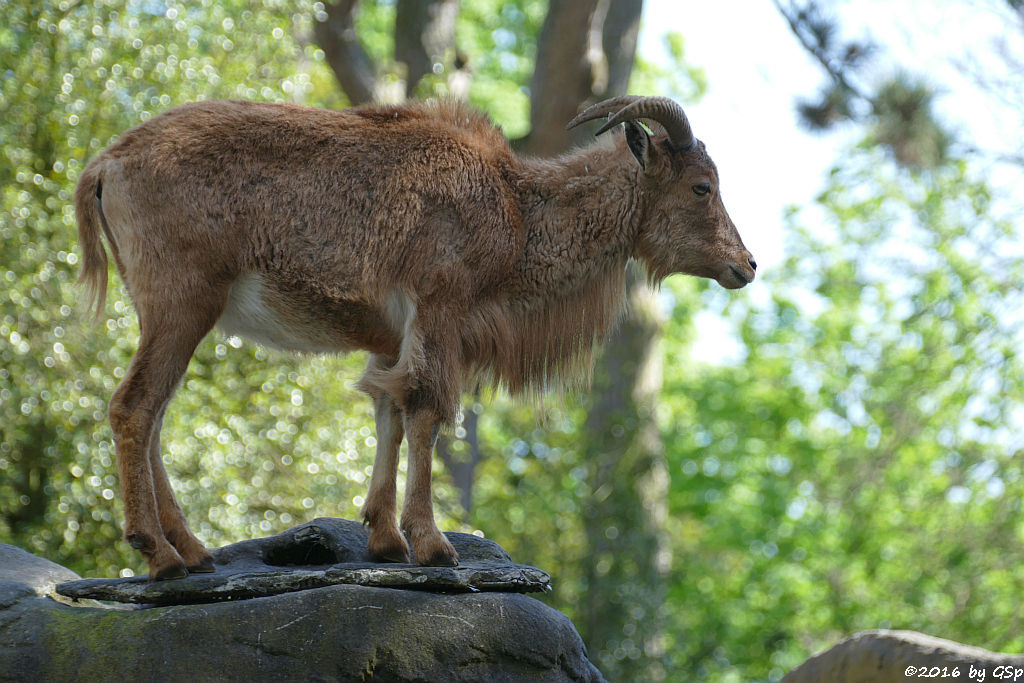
(342, 631)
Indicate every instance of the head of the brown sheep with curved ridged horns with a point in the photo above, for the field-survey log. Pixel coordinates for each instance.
(686, 227)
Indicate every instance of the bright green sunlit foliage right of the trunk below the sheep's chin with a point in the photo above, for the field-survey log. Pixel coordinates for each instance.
(860, 468)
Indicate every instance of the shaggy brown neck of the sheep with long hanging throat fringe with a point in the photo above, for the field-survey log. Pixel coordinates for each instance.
(567, 291)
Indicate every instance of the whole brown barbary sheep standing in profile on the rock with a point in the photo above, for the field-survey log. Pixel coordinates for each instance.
(411, 232)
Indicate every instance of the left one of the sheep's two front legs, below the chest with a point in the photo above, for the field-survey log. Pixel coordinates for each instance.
(387, 542)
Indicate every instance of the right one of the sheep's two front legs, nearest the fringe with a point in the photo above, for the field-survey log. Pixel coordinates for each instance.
(430, 545)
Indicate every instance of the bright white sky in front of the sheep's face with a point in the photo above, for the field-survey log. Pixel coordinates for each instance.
(757, 70)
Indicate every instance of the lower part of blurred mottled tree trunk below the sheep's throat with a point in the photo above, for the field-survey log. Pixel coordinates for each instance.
(626, 515)
